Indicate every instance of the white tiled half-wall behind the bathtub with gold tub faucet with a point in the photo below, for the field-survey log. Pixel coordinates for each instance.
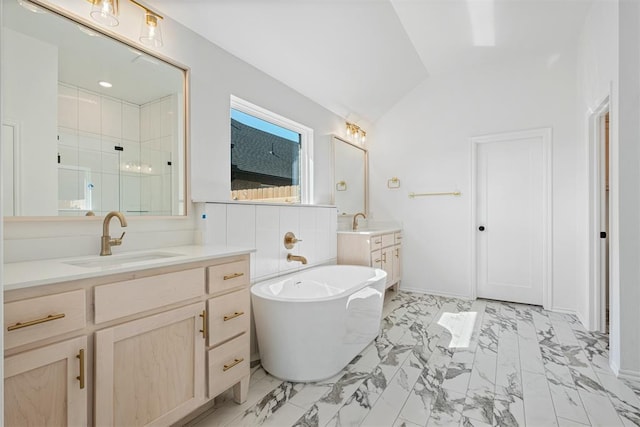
(263, 227)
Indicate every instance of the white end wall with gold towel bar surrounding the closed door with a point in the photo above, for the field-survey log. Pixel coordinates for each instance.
(424, 141)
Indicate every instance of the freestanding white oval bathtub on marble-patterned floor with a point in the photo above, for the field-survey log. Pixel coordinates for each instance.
(311, 324)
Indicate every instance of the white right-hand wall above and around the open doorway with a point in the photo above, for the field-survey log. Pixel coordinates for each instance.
(609, 65)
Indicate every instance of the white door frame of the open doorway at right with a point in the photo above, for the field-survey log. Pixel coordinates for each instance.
(597, 298)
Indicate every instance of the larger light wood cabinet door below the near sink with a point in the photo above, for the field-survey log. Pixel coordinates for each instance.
(151, 371)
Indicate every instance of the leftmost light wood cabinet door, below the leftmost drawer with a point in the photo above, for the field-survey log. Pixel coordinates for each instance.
(42, 387)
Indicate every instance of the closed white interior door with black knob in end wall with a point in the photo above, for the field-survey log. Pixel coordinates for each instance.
(511, 217)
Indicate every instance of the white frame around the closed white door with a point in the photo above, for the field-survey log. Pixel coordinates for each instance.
(547, 208)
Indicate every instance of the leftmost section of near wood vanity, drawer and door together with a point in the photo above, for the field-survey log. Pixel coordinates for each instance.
(45, 385)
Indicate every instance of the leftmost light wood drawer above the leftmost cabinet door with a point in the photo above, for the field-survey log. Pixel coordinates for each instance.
(38, 318)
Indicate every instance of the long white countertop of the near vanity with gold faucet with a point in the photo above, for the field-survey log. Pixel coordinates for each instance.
(19, 275)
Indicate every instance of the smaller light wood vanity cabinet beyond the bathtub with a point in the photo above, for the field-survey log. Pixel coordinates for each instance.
(380, 250)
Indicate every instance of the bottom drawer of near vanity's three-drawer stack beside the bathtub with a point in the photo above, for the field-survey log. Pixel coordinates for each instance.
(228, 364)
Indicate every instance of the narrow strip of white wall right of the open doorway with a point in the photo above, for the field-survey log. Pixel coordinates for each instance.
(628, 177)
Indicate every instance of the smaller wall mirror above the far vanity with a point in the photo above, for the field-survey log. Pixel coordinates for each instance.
(350, 177)
